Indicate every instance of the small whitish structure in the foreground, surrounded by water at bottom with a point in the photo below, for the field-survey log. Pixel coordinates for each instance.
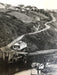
(37, 68)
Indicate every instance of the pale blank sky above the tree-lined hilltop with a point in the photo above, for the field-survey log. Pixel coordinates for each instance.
(46, 4)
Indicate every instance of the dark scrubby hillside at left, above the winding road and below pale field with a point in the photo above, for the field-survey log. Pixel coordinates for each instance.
(10, 28)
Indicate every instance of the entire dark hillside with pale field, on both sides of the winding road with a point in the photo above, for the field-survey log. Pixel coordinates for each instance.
(16, 23)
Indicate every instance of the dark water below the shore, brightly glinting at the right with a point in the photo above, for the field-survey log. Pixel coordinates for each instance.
(49, 60)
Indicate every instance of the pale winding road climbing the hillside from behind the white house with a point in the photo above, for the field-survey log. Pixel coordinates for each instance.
(20, 37)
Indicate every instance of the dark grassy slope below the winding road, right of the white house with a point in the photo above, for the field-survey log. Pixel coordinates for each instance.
(44, 40)
